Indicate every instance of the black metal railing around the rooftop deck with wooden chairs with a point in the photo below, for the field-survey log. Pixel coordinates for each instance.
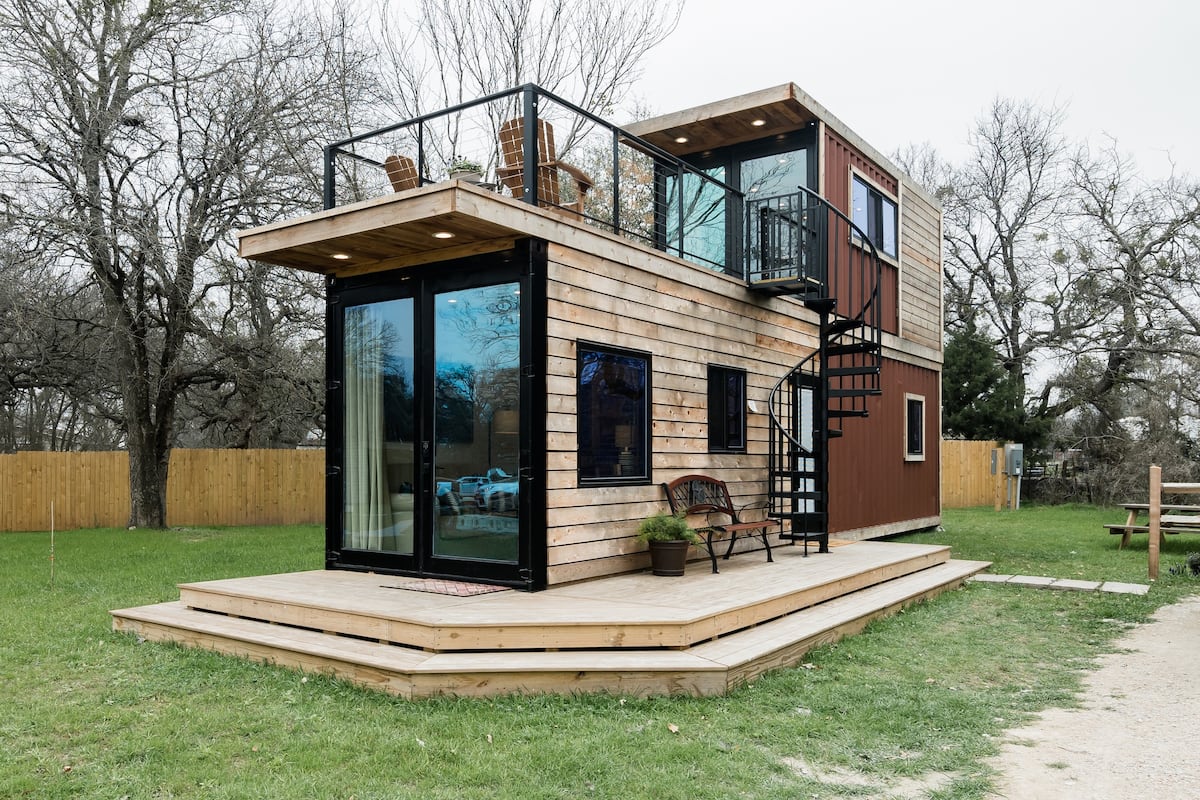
(603, 176)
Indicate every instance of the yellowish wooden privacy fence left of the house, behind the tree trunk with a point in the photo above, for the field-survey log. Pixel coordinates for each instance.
(205, 488)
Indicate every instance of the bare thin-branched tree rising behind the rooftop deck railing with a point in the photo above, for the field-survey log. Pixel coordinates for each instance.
(442, 53)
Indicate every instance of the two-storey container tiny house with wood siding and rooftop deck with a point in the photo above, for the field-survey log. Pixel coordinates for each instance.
(520, 359)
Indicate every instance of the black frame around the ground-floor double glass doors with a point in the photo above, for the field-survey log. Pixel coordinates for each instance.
(526, 266)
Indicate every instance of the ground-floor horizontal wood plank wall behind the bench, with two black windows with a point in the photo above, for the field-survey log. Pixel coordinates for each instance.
(686, 324)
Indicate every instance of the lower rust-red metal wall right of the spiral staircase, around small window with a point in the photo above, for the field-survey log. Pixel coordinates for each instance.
(871, 483)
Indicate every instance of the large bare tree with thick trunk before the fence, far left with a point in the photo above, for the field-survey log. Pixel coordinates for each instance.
(137, 137)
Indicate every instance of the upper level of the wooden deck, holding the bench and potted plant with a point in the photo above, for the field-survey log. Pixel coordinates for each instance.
(587, 616)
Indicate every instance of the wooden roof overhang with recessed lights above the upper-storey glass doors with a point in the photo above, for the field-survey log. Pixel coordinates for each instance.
(781, 110)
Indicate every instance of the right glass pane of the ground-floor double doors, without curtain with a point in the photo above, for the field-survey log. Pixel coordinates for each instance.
(477, 388)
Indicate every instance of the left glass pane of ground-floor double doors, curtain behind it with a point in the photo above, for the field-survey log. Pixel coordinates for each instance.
(380, 450)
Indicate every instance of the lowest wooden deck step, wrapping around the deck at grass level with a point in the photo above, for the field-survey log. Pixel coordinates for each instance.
(707, 669)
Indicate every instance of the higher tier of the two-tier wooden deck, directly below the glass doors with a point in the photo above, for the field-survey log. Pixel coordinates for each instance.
(524, 624)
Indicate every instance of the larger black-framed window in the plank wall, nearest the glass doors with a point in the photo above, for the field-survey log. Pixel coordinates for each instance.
(614, 423)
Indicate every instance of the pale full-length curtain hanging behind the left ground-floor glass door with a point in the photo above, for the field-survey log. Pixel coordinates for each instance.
(368, 507)
